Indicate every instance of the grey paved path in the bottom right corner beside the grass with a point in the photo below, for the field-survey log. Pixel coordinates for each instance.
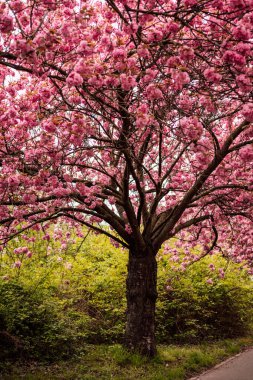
(240, 367)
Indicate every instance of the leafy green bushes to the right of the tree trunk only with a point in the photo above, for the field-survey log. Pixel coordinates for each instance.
(192, 308)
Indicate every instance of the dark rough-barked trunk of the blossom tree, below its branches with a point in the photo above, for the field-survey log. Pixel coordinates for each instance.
(141, 301)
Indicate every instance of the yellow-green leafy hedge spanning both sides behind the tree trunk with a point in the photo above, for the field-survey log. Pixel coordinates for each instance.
(56, 300)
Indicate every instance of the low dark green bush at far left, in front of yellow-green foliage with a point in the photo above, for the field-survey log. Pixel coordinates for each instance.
(32, 324)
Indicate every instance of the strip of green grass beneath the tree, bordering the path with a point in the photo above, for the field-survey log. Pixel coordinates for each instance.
(106, 362)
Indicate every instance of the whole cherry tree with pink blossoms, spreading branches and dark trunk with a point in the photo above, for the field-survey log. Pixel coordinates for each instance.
(133, 118)
